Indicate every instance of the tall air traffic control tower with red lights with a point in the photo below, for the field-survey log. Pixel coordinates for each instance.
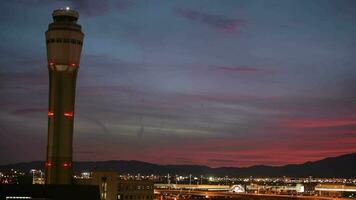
(64, 40)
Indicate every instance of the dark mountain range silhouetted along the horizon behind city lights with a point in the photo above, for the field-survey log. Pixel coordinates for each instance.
(343, 166)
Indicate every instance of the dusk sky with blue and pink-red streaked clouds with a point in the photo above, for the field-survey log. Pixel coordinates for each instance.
(216, 83)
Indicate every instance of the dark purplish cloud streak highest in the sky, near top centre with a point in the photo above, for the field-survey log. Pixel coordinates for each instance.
(215, 21)
